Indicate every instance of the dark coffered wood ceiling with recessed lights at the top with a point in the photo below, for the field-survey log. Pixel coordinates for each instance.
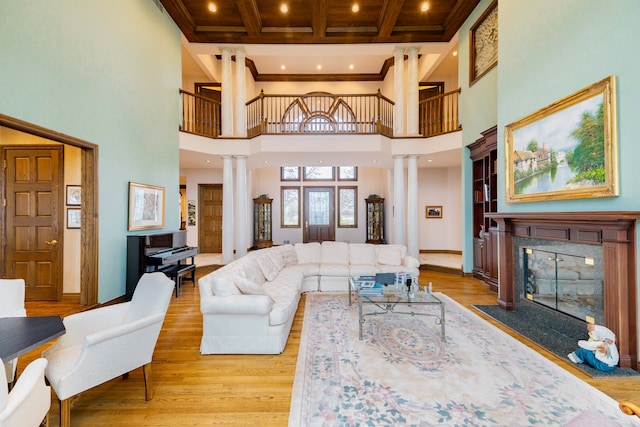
(318, 21)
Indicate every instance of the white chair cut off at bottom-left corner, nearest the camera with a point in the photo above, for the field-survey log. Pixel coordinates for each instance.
(29, 401)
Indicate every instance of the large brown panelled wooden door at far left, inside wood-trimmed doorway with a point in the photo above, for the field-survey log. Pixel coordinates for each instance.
(33, 179)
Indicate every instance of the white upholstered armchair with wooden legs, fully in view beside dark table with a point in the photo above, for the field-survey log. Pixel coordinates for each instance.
(107, 342)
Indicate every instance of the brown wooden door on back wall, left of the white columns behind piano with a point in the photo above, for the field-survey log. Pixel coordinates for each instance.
(210, 218)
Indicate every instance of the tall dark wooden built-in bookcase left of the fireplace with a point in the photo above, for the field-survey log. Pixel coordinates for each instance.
(484, 155)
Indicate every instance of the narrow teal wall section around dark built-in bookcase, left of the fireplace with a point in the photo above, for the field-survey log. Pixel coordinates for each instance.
(478, 112)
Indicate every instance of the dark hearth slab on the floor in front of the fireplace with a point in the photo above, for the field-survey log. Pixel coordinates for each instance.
(545, 328)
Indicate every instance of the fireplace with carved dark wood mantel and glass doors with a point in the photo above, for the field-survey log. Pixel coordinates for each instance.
(606, 239)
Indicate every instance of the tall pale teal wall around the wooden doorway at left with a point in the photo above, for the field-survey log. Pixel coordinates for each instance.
(108, 73)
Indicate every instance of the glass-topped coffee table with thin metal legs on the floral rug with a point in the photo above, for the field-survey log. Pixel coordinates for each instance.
(397, 300)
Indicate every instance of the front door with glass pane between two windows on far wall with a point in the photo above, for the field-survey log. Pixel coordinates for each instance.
(319, 214)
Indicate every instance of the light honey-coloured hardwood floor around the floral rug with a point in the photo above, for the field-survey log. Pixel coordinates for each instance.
(236, 390)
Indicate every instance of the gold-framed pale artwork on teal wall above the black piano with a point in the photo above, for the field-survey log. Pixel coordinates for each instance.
(146, 206)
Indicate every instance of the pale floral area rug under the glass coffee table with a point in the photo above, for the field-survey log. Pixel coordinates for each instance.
(402, 374)
